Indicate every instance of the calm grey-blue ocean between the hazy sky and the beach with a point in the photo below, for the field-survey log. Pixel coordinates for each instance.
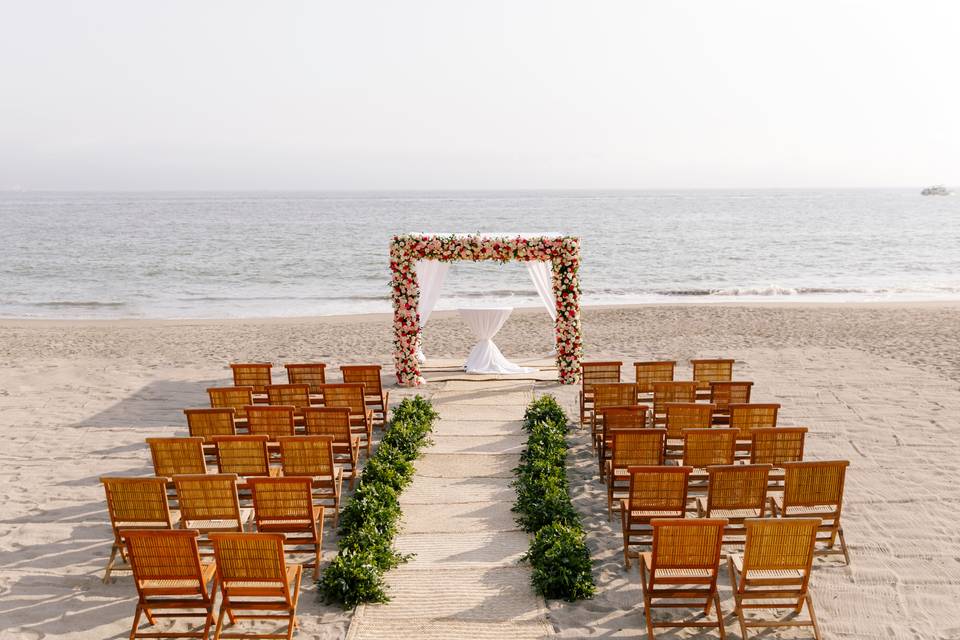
(247, 254)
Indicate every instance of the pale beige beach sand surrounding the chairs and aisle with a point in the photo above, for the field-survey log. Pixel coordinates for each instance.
(878, 384)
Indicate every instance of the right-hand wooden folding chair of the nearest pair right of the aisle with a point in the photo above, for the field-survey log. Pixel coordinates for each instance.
(774, 571)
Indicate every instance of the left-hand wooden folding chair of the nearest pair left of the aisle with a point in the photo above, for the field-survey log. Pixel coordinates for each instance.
(171, 580)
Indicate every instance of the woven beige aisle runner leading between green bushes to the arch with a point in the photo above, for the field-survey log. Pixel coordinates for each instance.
(464, 580)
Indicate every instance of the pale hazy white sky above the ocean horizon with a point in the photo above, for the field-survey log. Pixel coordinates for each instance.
(447, 94)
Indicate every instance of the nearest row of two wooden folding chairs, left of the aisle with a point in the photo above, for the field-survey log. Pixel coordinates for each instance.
(173, 581)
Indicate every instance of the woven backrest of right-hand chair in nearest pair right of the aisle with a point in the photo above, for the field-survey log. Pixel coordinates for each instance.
(779, 544)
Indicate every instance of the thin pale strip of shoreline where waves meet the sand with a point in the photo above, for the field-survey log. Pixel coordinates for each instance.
(450, 313)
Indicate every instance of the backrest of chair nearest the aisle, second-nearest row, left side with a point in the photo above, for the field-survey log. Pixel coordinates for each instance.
(284, 503)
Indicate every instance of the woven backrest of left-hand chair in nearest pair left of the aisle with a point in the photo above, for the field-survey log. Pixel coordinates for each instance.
(160, 556)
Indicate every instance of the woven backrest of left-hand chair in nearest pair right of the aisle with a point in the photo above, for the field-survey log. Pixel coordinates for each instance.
(686, 544)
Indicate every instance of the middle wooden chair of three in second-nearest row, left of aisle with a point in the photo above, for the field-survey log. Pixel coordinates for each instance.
(210, 503)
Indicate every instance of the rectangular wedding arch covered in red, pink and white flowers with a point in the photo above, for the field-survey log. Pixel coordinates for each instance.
(562, 252)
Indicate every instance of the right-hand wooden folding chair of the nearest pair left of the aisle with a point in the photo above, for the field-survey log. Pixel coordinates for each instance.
(256, 583)
